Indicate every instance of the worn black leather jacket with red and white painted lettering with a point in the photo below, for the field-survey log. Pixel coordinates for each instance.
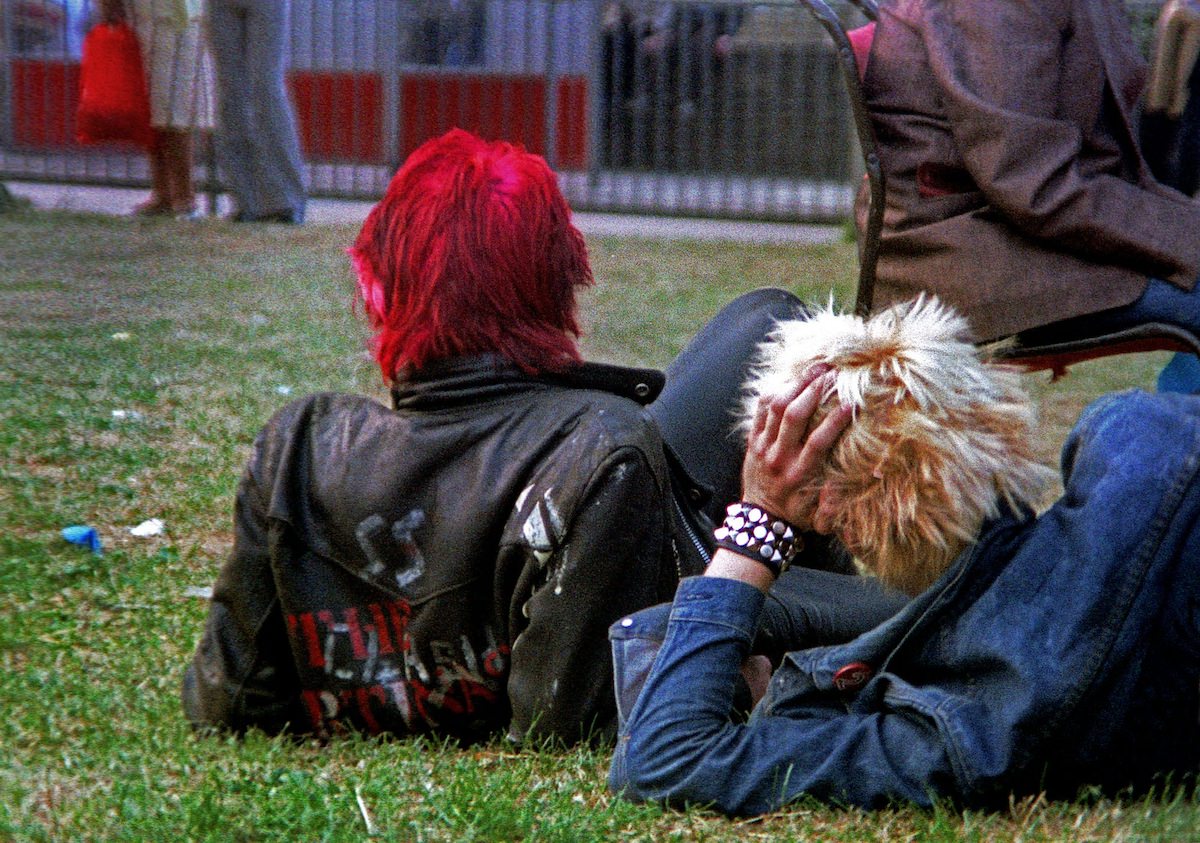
(449, 566)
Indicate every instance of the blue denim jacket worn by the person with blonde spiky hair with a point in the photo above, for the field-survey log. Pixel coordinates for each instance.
(1058, 651)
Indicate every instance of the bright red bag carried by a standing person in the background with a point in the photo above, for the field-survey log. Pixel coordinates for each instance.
(115, 104)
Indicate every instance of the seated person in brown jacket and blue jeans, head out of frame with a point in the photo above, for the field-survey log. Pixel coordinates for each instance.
(1016, 187)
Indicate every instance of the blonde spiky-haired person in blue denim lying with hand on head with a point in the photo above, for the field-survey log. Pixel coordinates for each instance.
(1040, 654)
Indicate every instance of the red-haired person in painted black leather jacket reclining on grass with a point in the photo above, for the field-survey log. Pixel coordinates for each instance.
(452, 564)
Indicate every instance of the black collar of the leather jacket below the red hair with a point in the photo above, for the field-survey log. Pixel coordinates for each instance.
(453, 381)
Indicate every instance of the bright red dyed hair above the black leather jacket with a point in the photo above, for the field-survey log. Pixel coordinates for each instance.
(472, 252)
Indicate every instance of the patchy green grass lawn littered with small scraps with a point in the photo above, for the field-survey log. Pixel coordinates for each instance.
(137, 362)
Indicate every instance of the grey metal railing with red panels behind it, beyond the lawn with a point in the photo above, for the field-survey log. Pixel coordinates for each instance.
(729, 109)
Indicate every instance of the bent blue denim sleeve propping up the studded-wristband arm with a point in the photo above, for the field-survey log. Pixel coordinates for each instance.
(680, 745)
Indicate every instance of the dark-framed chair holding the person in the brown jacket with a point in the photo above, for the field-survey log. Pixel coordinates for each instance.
(1052, 348)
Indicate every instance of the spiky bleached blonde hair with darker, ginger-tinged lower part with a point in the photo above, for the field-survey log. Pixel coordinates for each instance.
(940, 435)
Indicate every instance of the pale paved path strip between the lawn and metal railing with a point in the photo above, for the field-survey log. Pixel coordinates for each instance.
(121, 201)
